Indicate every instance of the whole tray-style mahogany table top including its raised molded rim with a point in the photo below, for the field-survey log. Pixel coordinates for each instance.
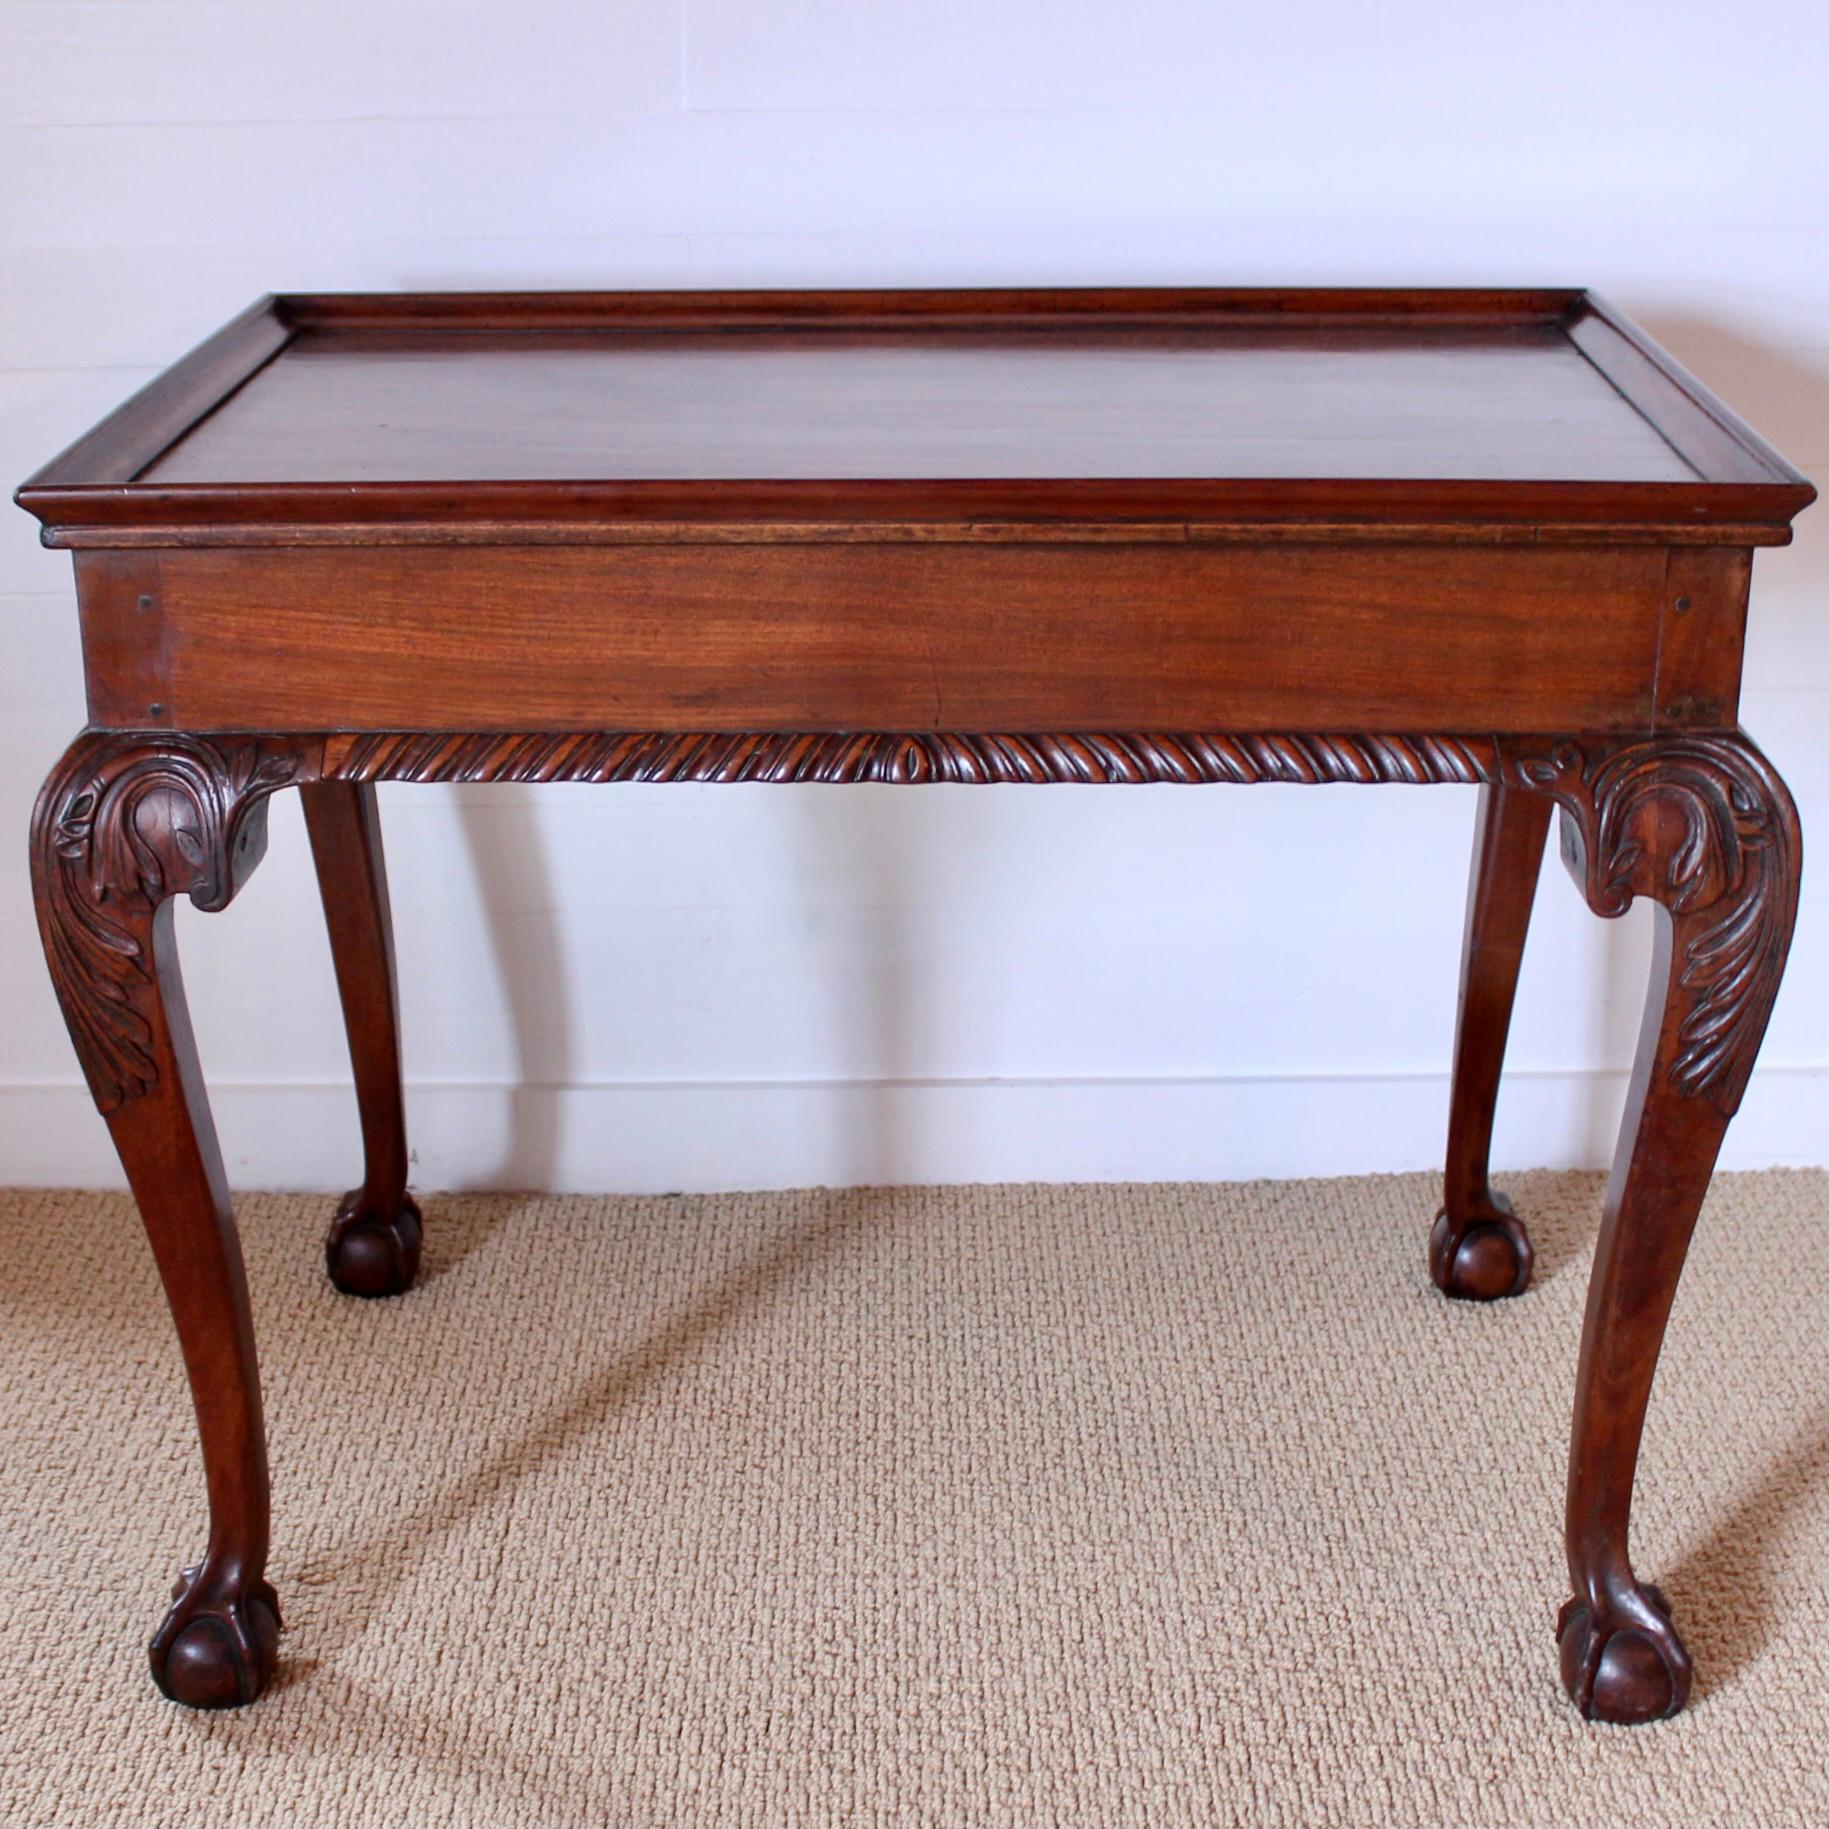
(544, 411)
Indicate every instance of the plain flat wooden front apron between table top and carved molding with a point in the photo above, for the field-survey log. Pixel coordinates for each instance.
(915, 639)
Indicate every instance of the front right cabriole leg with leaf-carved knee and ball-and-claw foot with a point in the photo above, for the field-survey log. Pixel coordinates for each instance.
(1704, 826)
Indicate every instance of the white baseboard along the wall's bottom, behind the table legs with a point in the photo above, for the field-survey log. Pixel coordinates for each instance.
(658, 1139)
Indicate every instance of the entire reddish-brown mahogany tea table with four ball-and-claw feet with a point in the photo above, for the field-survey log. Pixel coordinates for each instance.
(976, 537)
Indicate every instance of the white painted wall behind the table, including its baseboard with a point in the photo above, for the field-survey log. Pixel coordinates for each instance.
(650, 989)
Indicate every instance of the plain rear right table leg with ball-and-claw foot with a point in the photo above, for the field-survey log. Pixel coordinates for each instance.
(1479, 1248)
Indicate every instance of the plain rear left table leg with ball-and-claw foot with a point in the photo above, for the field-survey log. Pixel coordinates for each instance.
(376, 1235)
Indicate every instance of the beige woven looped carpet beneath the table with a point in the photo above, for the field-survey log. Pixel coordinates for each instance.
(943, 1508)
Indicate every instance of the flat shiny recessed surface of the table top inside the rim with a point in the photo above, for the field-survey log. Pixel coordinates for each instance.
(1448, 403)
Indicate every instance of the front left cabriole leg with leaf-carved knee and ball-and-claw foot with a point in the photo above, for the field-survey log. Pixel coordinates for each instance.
(125, 824)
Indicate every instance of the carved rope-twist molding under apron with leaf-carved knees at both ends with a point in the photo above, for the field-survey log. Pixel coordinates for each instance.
(1700, 824)
